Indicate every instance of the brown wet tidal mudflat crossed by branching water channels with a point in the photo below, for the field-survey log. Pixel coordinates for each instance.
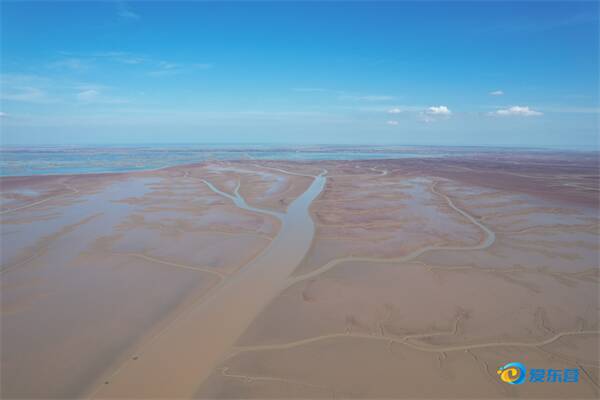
(267, 279)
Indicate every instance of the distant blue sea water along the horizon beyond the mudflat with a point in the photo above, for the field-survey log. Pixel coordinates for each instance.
(55, 160)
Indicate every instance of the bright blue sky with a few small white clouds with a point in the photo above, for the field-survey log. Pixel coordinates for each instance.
(478, 73)
